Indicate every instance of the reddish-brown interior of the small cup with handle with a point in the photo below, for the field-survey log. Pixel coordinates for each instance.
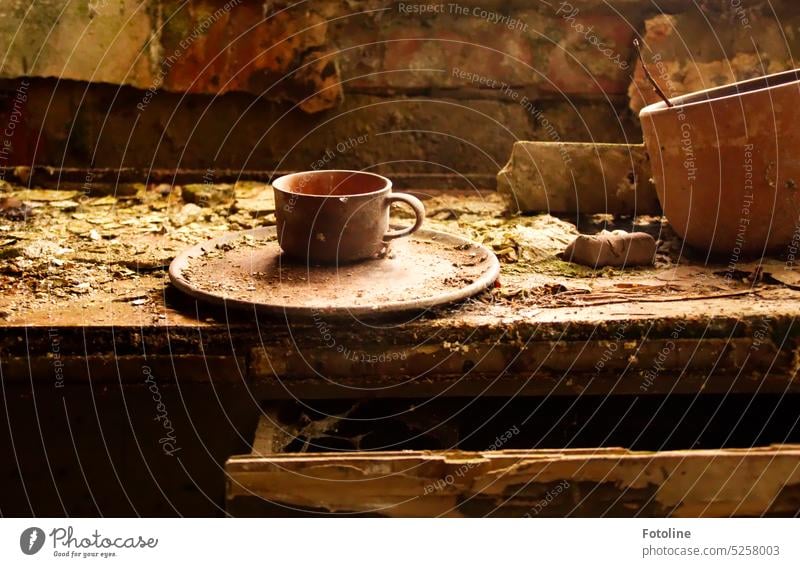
(332, 182)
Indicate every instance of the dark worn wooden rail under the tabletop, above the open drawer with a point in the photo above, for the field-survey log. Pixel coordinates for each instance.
(632, 367)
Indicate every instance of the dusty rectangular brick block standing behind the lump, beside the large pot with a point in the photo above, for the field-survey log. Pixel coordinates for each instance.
(558, 177)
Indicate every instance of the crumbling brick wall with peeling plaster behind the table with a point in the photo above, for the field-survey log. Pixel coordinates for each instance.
(435, 88)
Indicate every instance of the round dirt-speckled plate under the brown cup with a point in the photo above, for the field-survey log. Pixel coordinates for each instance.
(246, 270)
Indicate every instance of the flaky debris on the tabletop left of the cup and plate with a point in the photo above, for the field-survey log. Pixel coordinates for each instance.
(59, 244)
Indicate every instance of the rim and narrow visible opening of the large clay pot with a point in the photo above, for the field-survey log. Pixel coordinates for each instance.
(738, 89)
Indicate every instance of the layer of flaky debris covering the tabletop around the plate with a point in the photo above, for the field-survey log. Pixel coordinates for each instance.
(52, 251)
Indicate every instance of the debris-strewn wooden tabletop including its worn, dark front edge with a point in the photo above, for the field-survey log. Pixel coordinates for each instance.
(87, 274)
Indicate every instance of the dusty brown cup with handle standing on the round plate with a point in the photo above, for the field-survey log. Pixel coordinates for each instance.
(331, 216)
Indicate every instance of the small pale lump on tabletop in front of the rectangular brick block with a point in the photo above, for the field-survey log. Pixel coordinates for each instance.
(616, 248)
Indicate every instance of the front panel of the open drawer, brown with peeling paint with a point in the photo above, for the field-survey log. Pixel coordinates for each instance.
(580, 482)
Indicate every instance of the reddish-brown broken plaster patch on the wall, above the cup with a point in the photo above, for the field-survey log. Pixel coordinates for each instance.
(283, 56)
